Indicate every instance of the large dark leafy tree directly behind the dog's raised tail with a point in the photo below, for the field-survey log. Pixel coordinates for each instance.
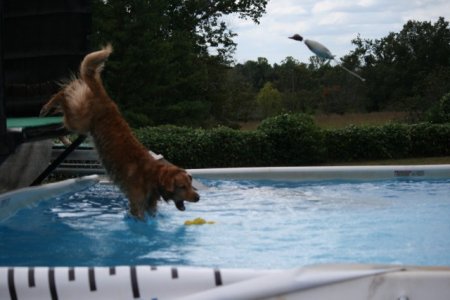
(163, 57)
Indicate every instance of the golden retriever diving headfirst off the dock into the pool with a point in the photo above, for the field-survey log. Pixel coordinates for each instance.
(88, 109)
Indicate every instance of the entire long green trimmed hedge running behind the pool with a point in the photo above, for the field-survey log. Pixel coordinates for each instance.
(294, 140)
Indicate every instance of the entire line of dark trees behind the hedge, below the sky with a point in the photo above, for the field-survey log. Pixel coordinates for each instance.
(173, 64)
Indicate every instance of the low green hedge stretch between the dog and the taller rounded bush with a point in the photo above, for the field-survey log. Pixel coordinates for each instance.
(215, 148)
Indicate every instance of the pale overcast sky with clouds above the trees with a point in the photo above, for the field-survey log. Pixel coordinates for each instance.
(333, 23)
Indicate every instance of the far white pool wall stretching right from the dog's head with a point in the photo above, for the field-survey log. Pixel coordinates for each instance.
(326, 173)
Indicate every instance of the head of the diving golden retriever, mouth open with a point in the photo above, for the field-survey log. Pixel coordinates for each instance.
(176, 184)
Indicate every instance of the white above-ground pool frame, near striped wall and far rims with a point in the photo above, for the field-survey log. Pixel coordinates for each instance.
(173, 282)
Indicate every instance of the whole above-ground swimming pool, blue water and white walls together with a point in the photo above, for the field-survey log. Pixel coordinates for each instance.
(74, 239)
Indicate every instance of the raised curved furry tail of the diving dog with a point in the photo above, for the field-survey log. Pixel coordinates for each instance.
(92, 66)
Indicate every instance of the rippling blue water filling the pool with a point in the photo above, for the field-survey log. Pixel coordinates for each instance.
(258, 224)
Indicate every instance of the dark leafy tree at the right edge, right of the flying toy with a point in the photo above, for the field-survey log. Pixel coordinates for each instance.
(397, 65)
